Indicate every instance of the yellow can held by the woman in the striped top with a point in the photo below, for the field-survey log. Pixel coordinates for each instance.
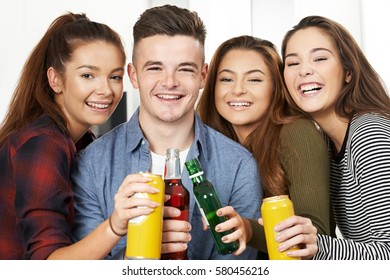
(274, 210)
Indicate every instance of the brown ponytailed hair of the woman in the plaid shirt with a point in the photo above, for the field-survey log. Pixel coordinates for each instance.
(33, 95)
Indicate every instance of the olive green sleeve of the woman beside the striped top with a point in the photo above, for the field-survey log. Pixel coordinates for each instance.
(305, 160)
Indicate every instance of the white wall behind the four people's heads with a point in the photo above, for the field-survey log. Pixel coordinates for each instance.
(23, 23)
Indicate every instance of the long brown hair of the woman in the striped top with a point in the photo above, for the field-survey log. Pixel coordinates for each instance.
(365, 93)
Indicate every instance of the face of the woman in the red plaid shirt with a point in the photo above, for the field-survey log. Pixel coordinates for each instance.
(93, 86)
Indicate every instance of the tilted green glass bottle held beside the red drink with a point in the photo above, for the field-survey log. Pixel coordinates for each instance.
(208, 203)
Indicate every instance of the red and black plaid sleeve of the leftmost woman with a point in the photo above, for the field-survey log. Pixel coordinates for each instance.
(43, 198)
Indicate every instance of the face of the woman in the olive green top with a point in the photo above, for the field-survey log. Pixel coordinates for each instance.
(243, 89)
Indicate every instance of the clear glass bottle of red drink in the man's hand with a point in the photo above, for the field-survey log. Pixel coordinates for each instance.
(180, 197)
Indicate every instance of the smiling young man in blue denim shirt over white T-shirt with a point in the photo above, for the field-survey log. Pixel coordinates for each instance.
(168, 69)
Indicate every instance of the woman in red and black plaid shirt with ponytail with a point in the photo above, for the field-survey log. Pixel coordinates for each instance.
(71, 80)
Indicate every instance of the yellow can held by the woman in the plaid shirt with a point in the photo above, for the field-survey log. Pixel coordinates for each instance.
(144, 233)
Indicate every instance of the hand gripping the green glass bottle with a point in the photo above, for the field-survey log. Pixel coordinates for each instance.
(240, 226)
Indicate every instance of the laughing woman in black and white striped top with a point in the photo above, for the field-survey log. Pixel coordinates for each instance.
(329, 78)
